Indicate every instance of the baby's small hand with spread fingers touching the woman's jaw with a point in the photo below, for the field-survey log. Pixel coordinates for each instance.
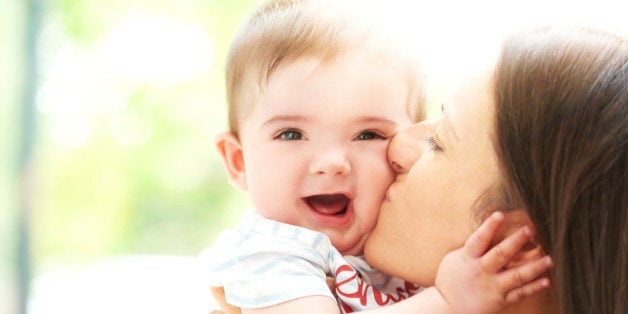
(473, 280)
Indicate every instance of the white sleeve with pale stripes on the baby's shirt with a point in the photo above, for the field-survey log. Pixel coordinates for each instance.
(260, 267)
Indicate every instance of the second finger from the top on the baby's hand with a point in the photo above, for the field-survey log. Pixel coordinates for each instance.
(499, 255)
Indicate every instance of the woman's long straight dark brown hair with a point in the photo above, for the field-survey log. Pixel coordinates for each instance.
(562, 137)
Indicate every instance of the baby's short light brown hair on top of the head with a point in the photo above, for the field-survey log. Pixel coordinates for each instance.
(281, 31)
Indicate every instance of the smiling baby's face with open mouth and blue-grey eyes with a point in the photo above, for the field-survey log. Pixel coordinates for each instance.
(315, 145)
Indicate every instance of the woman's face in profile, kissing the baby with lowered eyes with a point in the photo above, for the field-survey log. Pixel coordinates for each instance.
(443, 168)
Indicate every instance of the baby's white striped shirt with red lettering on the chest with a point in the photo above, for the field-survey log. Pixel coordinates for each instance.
(264, 262)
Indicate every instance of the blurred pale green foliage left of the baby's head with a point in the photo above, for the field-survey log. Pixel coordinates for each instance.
(125, 163)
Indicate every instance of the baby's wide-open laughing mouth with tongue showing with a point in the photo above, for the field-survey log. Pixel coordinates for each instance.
(329, 208)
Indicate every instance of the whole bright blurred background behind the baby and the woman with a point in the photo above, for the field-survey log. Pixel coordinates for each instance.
(124, 187)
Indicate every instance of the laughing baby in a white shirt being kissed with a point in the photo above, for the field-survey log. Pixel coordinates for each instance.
(315, 93)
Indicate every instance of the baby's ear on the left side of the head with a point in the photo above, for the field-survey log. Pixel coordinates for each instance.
(230, 150)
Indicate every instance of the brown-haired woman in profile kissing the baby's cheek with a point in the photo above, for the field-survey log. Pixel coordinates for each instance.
(542, 136)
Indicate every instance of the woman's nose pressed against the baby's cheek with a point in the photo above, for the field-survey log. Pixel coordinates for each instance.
(407, 146)
